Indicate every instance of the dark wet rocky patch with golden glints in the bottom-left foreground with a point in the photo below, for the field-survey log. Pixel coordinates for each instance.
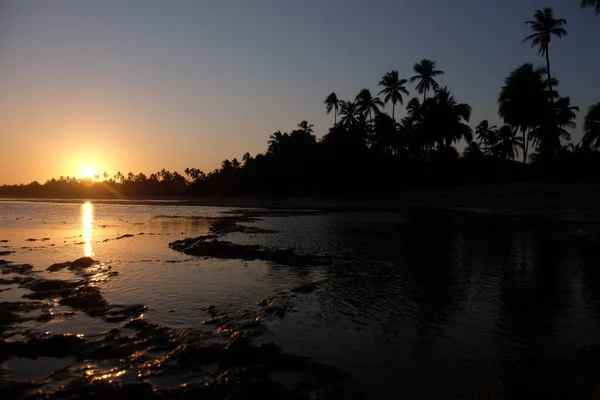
(235, 369)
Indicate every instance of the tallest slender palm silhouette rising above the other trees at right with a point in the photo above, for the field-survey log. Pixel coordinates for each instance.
(544, 26)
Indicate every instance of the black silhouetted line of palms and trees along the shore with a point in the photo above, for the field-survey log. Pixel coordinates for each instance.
(367, 149)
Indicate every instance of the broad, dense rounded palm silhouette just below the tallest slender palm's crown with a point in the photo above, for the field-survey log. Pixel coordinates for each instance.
(523, 100)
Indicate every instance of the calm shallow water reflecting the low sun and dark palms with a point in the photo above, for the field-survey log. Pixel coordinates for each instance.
(403, 301)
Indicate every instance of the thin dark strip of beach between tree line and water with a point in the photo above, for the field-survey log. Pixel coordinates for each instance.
(525, 197)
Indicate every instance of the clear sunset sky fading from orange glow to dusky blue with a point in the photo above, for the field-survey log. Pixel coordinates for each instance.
(141, 85)
